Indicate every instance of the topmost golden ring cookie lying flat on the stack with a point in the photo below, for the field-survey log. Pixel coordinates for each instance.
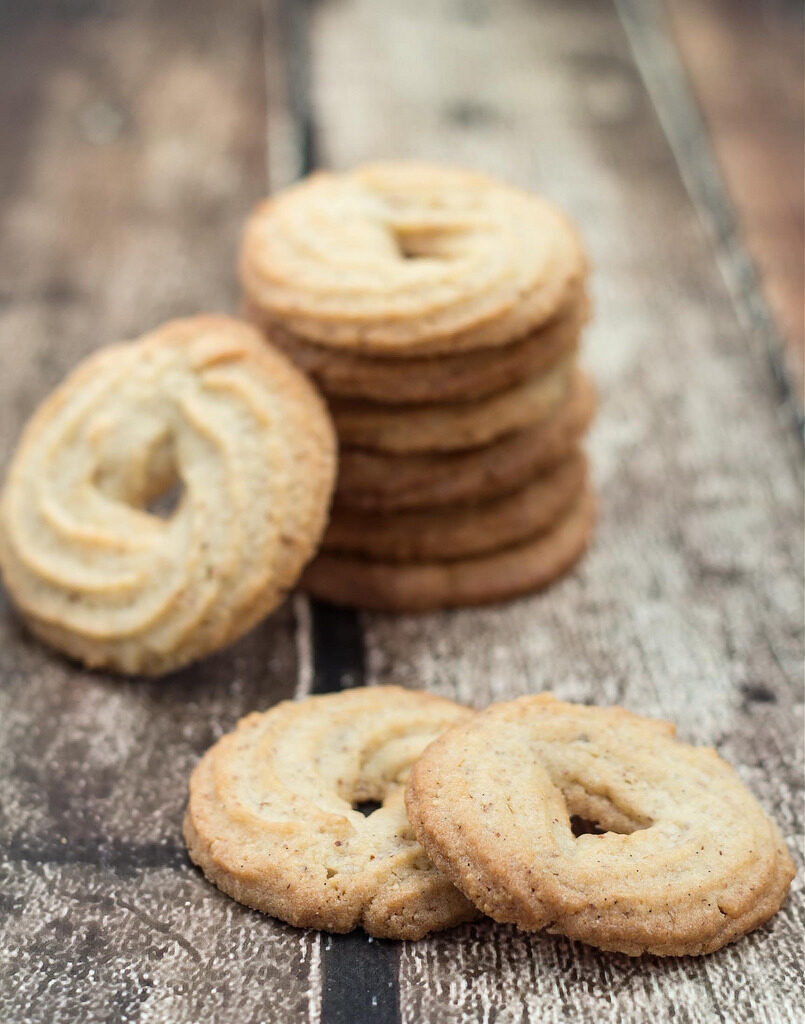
(405, 260)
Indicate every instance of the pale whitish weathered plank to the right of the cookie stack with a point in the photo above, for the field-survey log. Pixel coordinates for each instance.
(690, 605)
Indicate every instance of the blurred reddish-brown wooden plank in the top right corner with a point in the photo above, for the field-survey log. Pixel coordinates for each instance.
(746, 63)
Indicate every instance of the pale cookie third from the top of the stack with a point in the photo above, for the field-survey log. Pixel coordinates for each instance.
(453, 426)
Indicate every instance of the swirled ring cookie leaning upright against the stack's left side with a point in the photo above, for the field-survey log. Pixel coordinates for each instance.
(202, 404)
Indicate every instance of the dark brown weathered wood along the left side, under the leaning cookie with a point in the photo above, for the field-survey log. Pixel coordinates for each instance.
(133, 148)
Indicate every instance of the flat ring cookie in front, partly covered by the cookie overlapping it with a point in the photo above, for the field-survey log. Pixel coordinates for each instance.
(273, 822)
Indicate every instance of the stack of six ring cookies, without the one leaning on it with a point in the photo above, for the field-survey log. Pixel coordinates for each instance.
(440, 313)
